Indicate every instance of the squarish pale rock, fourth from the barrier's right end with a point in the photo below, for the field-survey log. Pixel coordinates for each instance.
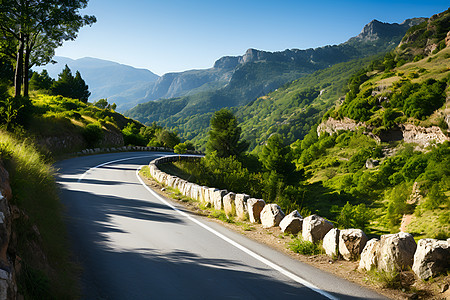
(351, 243)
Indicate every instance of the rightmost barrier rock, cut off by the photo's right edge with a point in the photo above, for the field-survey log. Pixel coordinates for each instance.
(431, 258)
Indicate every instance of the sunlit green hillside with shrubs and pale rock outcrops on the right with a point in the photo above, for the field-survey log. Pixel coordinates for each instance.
(387, 144)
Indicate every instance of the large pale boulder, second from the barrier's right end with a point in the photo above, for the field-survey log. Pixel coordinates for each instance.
(396, 251)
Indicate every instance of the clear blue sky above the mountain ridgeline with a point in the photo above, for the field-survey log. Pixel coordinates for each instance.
(177, 35)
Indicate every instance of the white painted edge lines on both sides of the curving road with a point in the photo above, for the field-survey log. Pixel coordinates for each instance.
(218, 234)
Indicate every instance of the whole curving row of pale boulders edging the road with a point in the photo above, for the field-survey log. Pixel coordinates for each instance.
(392, 252)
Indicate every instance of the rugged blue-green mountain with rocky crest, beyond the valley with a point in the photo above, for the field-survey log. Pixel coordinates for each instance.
(245, 78)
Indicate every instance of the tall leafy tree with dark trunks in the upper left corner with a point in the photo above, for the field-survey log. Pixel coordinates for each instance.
(38, 28)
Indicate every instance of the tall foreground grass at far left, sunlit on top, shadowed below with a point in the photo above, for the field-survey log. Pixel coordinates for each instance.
(35, 193)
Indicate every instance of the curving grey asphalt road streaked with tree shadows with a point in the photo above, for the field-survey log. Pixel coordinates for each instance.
(133, 244)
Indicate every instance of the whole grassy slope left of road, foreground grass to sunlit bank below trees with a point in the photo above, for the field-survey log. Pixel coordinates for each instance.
(47, 271)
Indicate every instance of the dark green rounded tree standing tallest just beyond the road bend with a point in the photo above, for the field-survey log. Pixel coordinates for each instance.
(225, 134)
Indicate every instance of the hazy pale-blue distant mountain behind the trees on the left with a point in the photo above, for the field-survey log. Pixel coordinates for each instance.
(106, 79)
